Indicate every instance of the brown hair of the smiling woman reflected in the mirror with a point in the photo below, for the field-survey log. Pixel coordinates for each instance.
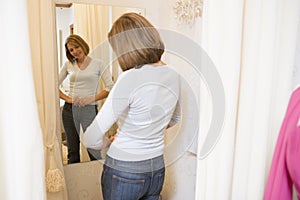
(77, 41)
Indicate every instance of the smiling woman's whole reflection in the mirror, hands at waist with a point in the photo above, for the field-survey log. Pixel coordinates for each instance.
(81, 99)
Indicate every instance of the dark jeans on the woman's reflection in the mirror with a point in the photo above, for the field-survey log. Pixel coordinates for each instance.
(72, 118)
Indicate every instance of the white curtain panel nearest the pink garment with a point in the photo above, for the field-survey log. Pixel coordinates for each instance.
(268, 59)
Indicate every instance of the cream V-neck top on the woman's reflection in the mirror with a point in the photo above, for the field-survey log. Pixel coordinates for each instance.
(84, 83)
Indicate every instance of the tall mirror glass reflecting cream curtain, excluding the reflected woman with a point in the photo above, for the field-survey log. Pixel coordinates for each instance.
(92, 22)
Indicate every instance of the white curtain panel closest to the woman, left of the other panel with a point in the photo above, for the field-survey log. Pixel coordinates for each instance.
(221, 39)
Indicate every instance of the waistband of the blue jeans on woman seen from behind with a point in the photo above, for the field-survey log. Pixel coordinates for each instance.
(143, 166)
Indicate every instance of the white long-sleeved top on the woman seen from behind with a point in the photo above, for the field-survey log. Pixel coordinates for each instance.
(144, 101)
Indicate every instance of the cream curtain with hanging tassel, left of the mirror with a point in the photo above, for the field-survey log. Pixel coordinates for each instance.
(44, 65)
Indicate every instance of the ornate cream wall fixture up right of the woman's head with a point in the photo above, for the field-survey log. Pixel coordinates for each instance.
(186, 11)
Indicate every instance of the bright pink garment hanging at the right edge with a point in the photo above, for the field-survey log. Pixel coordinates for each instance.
(285, 168)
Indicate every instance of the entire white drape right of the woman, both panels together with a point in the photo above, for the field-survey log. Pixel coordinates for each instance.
(252, 44)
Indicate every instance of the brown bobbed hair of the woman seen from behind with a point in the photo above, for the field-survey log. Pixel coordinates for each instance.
(135, 41)
